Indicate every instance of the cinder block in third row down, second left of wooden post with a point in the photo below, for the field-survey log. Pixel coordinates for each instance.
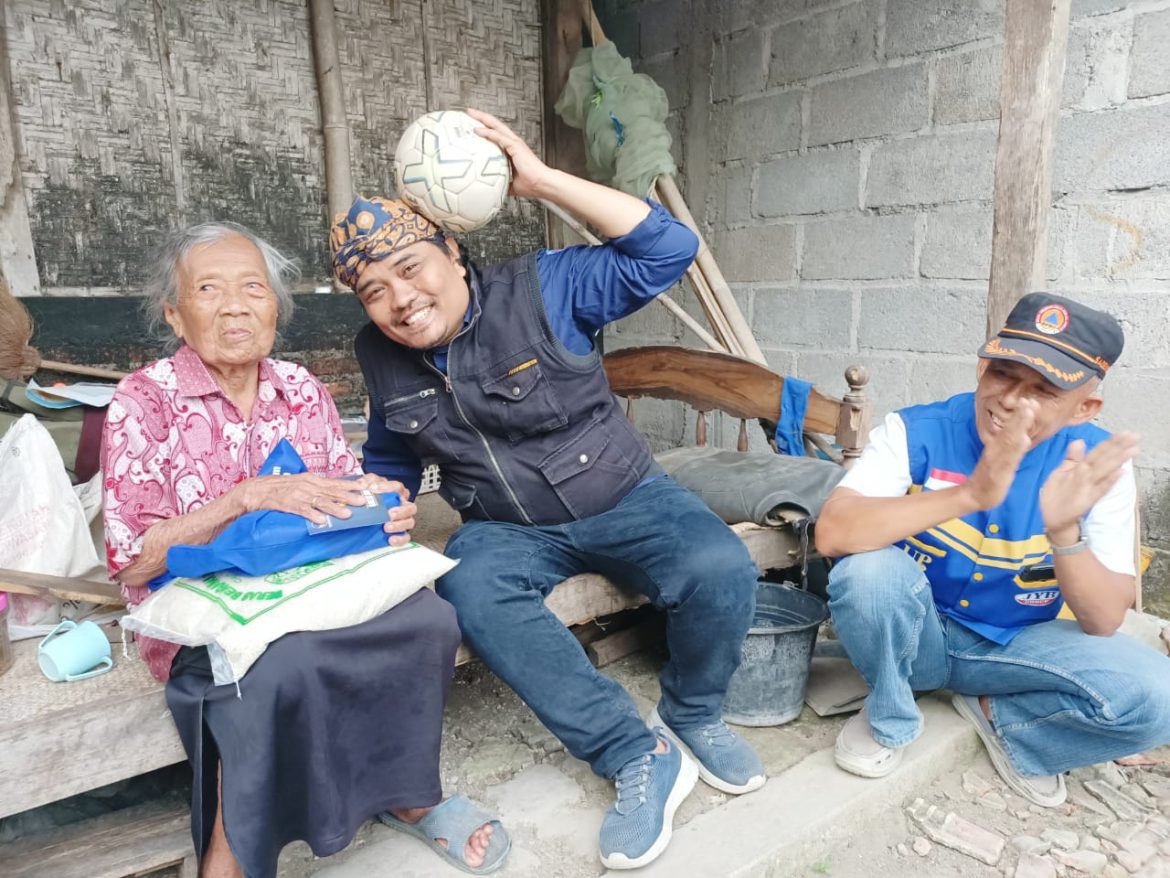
(815, 183)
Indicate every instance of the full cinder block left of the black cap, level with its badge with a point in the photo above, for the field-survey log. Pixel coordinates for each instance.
(923, 320)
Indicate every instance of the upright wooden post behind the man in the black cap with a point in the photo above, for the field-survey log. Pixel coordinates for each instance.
(1036, 37)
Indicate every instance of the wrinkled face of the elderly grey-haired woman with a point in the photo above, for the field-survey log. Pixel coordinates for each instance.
(226, 310)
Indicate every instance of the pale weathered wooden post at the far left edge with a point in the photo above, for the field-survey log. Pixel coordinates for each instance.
(18, 265)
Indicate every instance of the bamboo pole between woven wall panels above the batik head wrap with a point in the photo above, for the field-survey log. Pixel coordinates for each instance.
(339, 173)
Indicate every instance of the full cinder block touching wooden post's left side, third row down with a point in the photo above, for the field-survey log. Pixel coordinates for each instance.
(933, 170)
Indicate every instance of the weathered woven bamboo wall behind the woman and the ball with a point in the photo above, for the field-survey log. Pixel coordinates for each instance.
(133, 118)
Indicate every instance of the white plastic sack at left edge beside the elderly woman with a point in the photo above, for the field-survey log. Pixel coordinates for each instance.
(44, 529)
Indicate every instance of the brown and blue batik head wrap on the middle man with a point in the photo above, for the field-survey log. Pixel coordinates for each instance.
(373, 230)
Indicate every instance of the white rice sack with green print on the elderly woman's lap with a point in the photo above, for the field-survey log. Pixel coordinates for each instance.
(238, 616)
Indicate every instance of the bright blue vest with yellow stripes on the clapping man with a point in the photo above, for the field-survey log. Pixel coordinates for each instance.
(974, 564)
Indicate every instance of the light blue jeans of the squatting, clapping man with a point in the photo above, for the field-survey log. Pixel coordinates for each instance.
(1061, 699)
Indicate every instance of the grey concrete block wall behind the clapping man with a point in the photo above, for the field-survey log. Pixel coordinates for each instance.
(841, 156)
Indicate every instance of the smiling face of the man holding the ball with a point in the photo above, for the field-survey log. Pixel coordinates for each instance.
(418, 297)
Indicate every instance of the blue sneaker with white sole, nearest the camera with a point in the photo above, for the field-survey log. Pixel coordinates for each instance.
(637, 828)
